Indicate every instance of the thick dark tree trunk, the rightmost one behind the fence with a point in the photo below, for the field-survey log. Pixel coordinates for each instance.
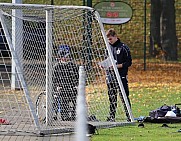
(168, 30)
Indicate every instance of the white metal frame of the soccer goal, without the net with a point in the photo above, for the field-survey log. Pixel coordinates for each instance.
(49, 46)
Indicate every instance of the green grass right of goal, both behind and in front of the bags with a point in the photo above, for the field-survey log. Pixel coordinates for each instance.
(143, 100)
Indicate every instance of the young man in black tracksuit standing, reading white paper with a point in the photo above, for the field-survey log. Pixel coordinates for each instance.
(122, 56)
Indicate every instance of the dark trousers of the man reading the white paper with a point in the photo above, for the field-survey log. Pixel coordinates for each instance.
(113, 89)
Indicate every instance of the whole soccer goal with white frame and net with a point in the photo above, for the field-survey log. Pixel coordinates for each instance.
(31, 38)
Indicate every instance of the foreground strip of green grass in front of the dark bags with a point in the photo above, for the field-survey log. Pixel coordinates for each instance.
(151, 132)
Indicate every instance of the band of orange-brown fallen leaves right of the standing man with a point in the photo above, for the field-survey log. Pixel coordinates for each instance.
(157, 73)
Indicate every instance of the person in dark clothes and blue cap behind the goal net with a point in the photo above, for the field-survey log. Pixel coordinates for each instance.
(65, 83)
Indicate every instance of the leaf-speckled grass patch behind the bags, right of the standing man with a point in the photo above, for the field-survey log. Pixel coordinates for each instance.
(146, 99)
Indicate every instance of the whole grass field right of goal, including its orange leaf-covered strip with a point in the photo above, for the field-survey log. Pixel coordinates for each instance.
(150, 89)
